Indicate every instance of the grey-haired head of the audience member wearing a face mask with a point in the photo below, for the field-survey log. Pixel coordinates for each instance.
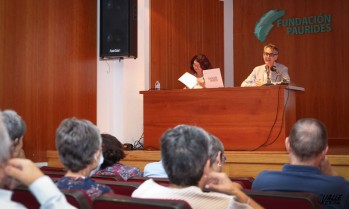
(78, 143)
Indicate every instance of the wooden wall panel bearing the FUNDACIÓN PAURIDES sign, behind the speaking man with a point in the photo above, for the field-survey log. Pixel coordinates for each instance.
(316, 62)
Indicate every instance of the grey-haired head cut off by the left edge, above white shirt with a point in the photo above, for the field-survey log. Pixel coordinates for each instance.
(5, 146)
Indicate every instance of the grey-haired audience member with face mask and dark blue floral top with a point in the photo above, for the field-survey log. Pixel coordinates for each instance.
(79, 147)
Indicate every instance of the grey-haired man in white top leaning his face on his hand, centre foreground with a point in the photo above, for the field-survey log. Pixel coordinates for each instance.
(185, 154)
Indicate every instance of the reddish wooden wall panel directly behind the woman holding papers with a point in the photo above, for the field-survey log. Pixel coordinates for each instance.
(179, 30)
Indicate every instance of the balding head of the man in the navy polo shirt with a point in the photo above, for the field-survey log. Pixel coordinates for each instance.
(307, 139)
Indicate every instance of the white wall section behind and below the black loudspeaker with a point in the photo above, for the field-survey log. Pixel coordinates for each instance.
(119, 104)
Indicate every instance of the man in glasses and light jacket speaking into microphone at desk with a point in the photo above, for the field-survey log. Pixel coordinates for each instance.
(270, 72)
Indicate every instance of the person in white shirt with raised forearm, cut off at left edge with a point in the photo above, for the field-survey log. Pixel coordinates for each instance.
(25, 171)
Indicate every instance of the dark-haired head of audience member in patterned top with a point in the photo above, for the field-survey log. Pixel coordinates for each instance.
(112, 149)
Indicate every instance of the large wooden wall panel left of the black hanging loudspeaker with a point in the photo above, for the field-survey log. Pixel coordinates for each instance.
(48, 66)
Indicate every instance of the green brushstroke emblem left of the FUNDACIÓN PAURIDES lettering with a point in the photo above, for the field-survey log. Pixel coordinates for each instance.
(265, 24)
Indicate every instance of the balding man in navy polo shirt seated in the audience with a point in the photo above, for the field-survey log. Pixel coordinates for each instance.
(308, 169)
